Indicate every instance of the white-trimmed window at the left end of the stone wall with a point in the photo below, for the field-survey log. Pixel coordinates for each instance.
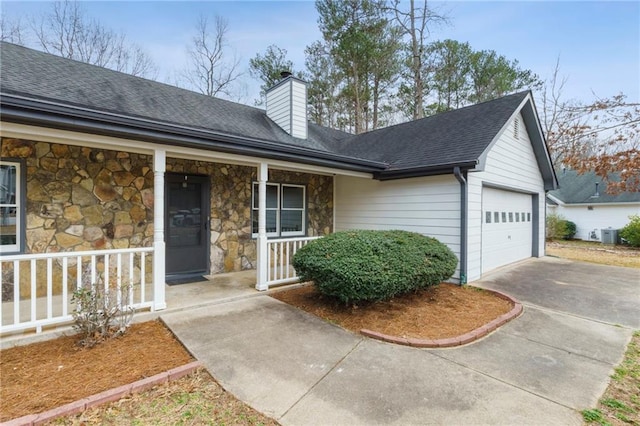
(10, 206)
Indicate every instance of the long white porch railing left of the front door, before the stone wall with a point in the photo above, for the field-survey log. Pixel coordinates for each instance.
(37, 288)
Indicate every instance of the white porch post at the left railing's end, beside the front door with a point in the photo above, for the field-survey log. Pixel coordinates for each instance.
(159, 167)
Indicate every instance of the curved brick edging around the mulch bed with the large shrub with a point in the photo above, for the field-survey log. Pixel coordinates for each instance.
(449, 342)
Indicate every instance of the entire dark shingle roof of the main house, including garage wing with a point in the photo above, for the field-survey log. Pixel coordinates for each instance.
(41, 88)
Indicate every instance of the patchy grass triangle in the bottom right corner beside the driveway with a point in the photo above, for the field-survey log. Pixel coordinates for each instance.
(620, 404)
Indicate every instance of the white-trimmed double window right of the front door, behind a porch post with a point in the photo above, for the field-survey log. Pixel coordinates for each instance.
(286, 210)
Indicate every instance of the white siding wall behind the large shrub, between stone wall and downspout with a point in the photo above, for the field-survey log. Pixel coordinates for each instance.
(426, 205)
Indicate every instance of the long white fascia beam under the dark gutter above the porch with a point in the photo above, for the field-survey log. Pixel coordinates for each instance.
(66, 137)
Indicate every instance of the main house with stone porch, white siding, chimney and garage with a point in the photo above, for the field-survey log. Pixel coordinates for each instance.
(108, 161)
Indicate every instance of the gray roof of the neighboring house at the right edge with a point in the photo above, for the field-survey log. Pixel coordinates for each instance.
(576, 188)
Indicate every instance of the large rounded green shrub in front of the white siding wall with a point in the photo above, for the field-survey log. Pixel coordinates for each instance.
(361, 265)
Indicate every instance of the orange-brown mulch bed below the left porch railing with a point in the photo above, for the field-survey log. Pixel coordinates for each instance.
(45, 375)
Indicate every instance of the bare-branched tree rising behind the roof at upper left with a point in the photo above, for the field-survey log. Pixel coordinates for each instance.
(67, 31)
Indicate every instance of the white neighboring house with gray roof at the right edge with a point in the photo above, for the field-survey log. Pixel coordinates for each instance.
(584, 200)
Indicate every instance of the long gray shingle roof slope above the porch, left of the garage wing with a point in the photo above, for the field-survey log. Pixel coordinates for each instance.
(47, 77)
